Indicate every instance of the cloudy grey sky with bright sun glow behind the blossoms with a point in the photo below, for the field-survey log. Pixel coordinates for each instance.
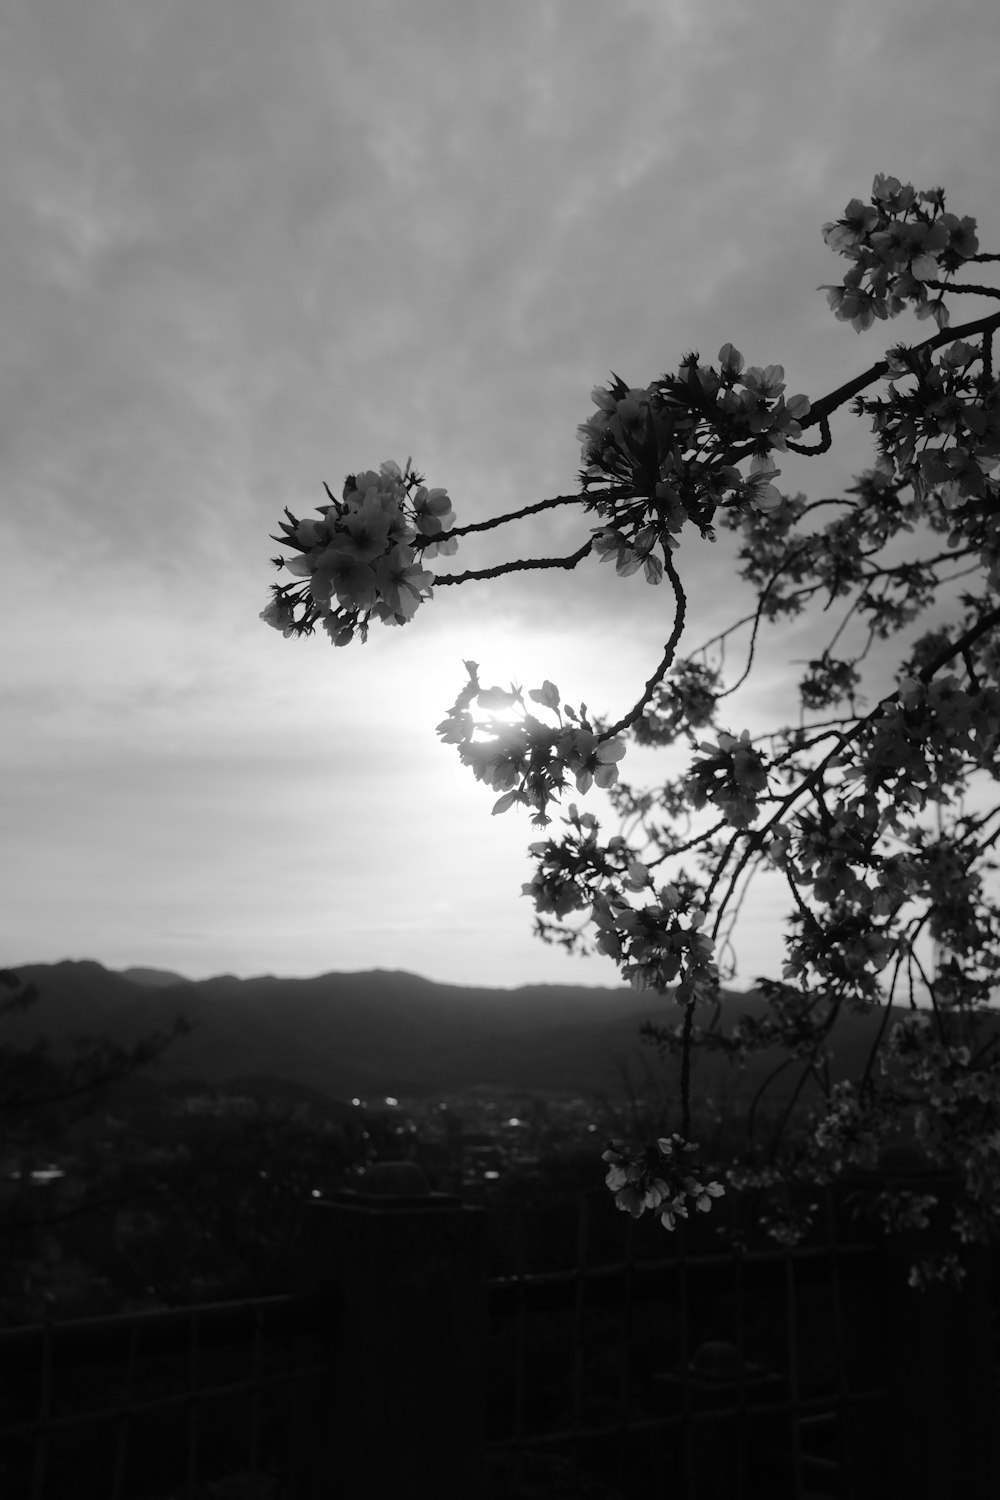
(250, 248)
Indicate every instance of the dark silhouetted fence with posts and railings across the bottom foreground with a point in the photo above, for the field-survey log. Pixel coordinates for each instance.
(406, 1370)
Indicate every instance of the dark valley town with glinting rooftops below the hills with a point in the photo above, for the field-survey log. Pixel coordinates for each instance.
(191, 1192)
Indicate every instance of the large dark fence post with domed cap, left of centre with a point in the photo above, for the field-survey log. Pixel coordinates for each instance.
(403, 1412)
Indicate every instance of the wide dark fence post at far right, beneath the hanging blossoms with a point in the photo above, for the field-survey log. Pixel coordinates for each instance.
(938, 1433)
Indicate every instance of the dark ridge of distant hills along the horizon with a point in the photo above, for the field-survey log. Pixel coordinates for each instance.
(383, 1033)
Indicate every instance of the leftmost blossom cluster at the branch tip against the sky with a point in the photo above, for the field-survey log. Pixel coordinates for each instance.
(364, 559)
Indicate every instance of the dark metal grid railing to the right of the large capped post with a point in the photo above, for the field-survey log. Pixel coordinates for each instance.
(738, 1373)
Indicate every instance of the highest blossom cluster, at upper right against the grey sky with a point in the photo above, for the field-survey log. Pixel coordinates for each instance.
(897, 242)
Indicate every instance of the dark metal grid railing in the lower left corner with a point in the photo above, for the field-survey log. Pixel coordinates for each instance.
(152, 1405)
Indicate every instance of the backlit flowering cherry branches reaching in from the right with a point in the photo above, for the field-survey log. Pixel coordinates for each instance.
(881, 820)
